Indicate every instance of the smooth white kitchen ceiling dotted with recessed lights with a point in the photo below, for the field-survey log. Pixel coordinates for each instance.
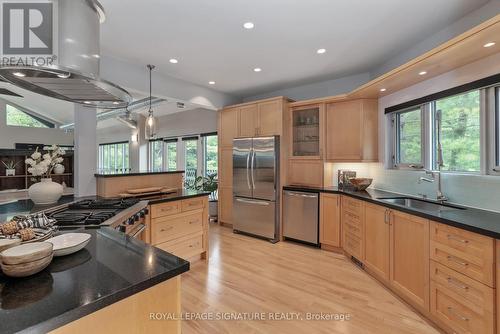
(210, 43)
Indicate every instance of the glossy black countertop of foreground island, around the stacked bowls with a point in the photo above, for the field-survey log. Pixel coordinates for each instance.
(112, 267)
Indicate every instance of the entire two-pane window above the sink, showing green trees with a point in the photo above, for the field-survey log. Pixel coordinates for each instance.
(443, 134)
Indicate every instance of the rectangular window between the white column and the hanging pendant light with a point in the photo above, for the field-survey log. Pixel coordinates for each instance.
(114, 158)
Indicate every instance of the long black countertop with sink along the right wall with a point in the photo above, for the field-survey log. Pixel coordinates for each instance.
(475, 220)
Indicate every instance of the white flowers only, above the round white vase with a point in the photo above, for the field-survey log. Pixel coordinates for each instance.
(41, 165)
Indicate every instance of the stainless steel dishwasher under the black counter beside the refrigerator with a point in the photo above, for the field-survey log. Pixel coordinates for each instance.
(300, 216)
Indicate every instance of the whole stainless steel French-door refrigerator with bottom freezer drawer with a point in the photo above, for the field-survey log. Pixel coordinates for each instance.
(255, 183)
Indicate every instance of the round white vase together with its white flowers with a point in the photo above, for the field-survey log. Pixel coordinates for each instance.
(40, 166)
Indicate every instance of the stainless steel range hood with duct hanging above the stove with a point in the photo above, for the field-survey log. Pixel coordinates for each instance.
(74, 74)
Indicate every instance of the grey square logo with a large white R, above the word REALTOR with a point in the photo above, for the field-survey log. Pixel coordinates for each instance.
(27, 28)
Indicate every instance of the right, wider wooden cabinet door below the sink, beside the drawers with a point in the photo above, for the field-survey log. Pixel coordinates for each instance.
(409, 260)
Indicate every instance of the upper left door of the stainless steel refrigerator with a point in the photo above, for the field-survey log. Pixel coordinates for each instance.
(242, 154)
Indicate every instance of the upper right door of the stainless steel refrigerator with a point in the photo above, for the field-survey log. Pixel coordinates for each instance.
(263, 168)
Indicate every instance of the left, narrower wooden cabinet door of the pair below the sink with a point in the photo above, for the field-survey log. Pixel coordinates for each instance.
(377, 241)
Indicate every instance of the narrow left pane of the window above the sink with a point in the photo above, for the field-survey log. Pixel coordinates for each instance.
(409, 137)
